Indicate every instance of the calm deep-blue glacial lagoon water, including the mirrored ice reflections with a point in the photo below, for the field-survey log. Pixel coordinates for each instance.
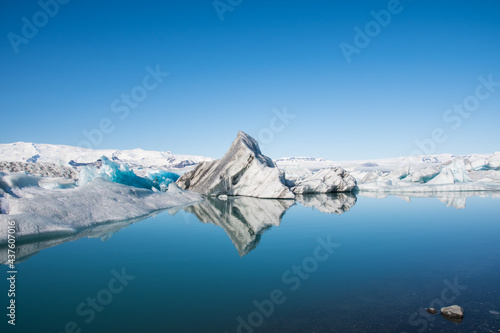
(323, 263)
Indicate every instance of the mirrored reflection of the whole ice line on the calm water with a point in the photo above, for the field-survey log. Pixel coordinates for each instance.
(244, 219)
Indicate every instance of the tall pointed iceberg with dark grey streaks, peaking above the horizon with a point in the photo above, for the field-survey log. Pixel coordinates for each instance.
(243, 171)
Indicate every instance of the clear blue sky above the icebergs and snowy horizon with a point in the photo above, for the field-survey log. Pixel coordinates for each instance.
(237, 73)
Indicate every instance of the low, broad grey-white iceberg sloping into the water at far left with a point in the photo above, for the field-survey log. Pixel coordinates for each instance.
(43, 212)
